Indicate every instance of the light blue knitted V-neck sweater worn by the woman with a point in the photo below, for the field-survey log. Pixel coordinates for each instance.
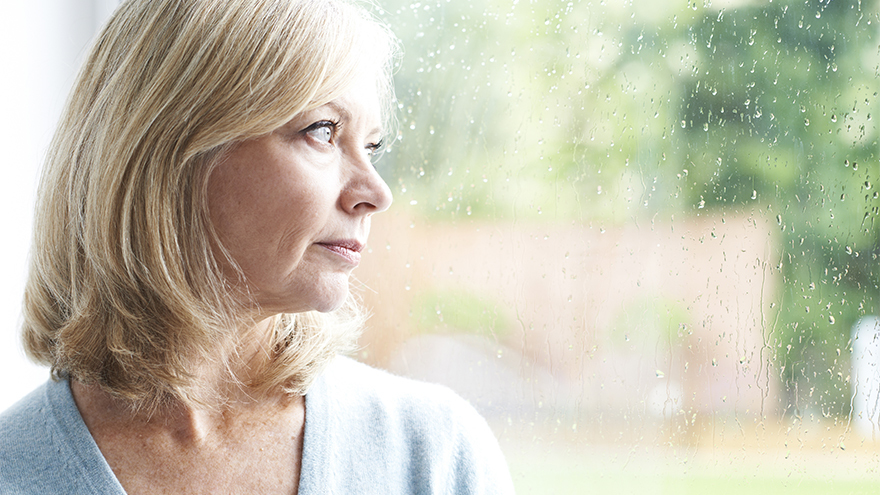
(366, 432)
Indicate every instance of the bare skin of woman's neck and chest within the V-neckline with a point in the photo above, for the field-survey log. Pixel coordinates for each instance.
(245, 445)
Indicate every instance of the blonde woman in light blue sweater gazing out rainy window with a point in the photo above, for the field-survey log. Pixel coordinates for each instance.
(206, 197)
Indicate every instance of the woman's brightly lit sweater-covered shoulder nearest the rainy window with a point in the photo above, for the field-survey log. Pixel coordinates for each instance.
(422, 435)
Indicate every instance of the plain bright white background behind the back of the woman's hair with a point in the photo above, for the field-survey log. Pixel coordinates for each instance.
(42, 43)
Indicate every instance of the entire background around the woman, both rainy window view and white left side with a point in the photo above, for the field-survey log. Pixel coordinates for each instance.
(640, 237)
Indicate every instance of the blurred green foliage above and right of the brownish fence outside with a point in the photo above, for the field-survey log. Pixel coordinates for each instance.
(608, 111)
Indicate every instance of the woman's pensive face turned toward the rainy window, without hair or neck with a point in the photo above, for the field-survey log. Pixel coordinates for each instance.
(293, 207)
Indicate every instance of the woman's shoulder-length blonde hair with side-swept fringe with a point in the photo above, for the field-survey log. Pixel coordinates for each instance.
(124, 288)
